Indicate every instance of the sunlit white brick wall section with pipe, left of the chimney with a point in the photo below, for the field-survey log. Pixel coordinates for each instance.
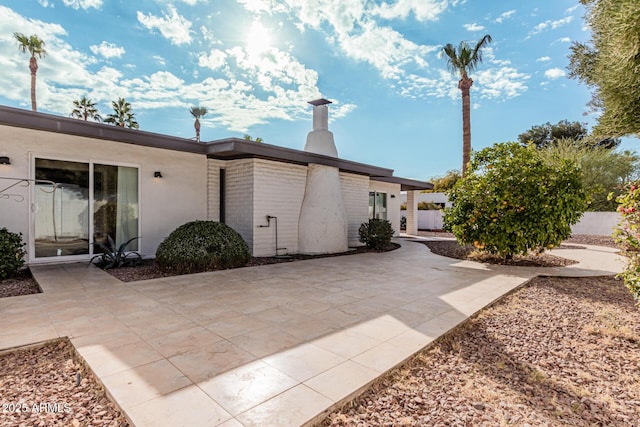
(278, 191)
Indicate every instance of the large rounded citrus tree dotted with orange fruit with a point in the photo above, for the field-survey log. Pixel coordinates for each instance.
(512, 202)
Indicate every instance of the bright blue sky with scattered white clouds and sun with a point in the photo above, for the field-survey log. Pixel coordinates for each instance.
(255, 63)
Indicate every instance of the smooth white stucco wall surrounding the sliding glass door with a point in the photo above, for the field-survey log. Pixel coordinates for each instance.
(165, 203)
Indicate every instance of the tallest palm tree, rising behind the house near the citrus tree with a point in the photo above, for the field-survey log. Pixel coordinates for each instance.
(462, 60)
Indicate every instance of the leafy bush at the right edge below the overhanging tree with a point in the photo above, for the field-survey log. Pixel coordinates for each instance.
(627, 236)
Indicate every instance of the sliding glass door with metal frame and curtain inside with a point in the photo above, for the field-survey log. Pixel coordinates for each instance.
(91, 201)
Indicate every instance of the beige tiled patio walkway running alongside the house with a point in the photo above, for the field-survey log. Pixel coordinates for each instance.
(275, 345)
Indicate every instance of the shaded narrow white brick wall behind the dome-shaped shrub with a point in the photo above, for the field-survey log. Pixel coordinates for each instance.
(239, 197)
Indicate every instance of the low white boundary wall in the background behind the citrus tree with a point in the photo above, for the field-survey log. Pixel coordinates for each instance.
(598, 223)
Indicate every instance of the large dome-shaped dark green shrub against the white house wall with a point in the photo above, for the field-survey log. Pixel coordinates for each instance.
(202, 246)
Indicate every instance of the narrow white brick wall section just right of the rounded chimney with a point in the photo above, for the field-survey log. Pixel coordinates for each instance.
(355, 192)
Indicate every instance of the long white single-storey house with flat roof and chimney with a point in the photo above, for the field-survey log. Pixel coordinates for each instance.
(126, 183)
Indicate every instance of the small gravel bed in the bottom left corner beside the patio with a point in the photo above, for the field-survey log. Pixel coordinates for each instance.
(49, 385)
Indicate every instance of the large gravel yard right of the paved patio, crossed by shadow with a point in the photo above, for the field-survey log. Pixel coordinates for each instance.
(557, 352)
